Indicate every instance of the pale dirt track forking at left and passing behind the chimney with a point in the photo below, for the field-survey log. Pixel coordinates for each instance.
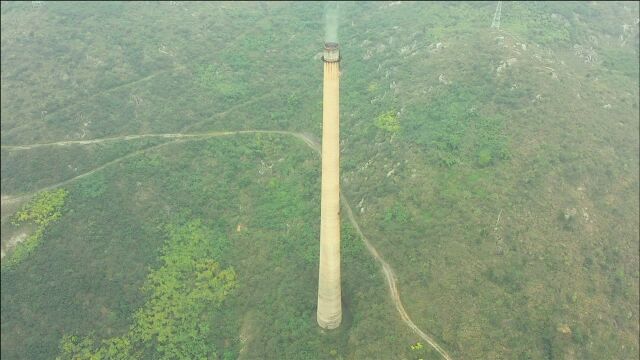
(306, 138)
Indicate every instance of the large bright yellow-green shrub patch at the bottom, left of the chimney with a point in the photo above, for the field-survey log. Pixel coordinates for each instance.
(181, 292)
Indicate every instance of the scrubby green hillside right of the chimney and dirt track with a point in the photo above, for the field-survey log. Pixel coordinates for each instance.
(493, 292)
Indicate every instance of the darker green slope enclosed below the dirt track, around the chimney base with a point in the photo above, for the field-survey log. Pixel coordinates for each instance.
(92, 266)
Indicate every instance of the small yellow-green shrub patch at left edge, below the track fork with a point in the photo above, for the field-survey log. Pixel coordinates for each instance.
(42, 210)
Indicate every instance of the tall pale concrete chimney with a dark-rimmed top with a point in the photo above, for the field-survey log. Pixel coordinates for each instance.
(329, 288)
